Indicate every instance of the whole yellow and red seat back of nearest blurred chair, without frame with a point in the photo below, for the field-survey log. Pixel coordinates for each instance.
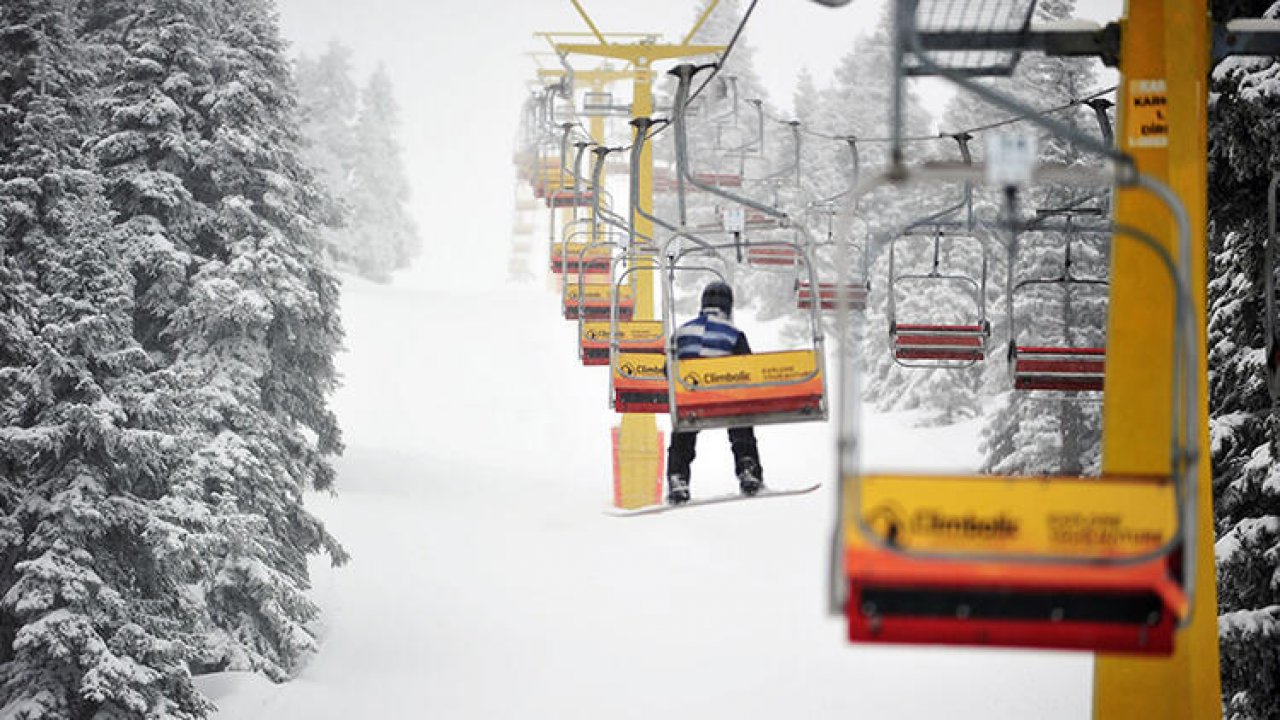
(1016, 562)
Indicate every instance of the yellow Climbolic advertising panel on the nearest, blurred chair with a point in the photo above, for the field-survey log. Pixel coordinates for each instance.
(1046, 517)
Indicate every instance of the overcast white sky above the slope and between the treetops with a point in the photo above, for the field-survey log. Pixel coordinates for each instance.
(460, 72)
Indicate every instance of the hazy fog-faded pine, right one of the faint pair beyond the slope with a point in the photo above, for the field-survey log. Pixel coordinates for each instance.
(381, 238)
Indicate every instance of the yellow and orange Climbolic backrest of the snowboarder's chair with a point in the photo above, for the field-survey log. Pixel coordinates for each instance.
(749, 390)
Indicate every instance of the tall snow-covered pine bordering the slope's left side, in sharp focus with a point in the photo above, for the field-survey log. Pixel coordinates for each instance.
(255, 347)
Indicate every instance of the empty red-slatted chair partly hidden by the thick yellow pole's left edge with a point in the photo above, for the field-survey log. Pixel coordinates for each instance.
(1064, 367)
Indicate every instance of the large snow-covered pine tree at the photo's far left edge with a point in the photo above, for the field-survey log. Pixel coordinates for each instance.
(84, 618)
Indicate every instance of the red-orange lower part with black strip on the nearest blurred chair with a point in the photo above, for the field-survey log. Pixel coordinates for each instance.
(927, 601)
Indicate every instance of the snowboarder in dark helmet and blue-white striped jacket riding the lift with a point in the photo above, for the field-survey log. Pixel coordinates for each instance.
(712, 335)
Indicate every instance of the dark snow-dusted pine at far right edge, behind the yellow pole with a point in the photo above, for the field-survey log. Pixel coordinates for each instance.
(1245, 153)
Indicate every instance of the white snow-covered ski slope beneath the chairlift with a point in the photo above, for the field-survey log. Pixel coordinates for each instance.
(487, 582)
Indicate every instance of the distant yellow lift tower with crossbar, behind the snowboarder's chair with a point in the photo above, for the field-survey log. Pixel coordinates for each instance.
(638, 452)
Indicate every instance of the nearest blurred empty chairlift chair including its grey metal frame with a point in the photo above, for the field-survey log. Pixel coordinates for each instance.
(1094, 564)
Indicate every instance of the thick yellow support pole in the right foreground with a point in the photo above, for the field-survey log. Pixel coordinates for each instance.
(1165, 56)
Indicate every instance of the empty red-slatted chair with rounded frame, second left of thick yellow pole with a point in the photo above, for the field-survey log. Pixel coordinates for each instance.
(940, 345)
